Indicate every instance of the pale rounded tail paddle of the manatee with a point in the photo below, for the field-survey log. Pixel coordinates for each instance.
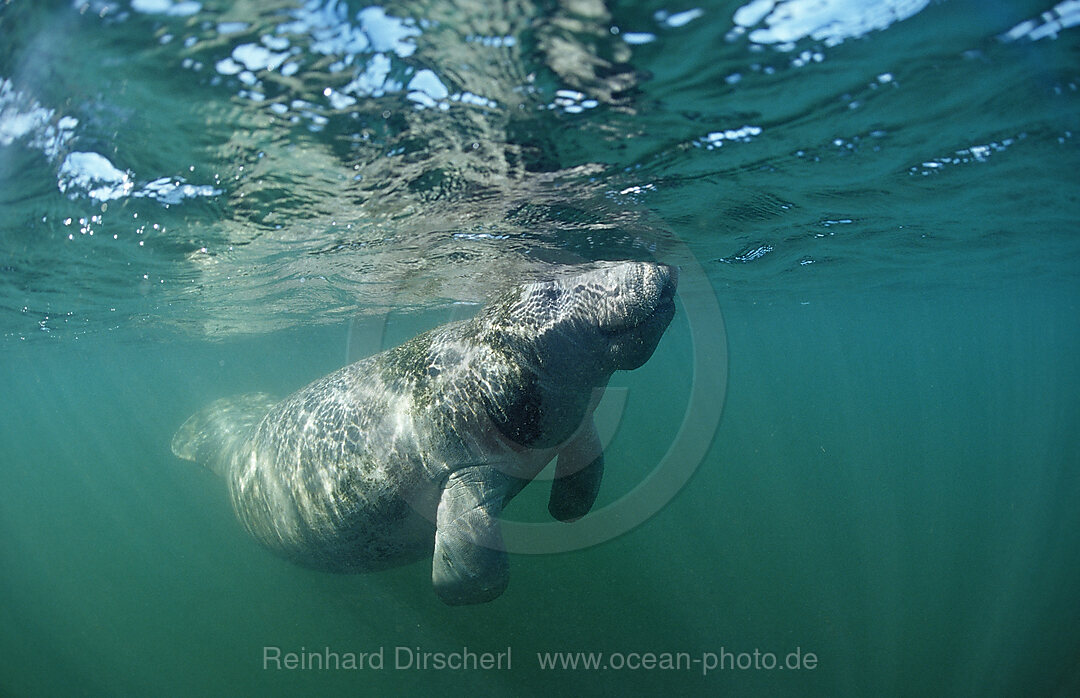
(212, 436)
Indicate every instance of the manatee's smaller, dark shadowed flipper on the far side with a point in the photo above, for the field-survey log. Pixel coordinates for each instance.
(578, 474)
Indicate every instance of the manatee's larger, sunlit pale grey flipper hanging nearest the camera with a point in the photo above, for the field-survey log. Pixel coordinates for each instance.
(470, 565)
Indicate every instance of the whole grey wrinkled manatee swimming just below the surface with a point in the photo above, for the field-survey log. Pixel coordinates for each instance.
(363, 468)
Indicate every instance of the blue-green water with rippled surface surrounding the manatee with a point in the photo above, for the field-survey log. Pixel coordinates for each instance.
(893, 485)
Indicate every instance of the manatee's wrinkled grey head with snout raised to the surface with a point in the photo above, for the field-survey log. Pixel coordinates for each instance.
(568, 335)
